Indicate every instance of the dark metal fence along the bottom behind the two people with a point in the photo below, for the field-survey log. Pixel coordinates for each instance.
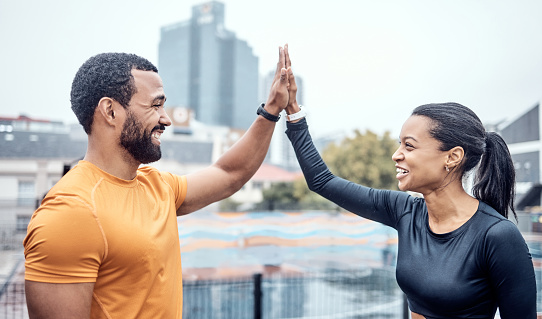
(361, 294)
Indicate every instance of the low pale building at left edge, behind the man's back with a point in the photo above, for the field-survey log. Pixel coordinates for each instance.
(33, 153)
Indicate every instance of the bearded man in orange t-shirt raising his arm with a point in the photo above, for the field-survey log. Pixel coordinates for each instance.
(104, 242)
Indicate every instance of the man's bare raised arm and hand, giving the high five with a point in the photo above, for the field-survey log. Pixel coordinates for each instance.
(239, 163)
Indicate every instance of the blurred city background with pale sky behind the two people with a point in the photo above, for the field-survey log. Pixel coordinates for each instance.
(361, 67)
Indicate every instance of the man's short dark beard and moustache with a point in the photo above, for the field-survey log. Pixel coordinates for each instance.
(138, 141)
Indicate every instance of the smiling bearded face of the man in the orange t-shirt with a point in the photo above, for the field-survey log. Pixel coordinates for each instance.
(146, 119)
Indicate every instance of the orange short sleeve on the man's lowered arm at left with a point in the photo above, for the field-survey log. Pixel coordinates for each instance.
(64, 243)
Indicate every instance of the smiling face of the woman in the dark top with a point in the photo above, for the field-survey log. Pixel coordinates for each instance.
(421, 165)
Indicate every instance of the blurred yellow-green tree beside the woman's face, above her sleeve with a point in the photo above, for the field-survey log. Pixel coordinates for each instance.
(364, 159)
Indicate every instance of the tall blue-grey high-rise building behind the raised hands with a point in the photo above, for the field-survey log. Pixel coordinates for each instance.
(208, 69)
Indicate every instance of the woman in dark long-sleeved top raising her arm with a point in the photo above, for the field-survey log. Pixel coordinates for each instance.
(459, 256)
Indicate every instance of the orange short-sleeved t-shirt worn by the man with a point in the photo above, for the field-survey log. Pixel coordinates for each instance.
(120, 234)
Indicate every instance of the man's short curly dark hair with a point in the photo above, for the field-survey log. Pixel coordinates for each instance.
(105, 75)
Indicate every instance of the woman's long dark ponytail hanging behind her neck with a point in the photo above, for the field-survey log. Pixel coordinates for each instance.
(494, 180)
